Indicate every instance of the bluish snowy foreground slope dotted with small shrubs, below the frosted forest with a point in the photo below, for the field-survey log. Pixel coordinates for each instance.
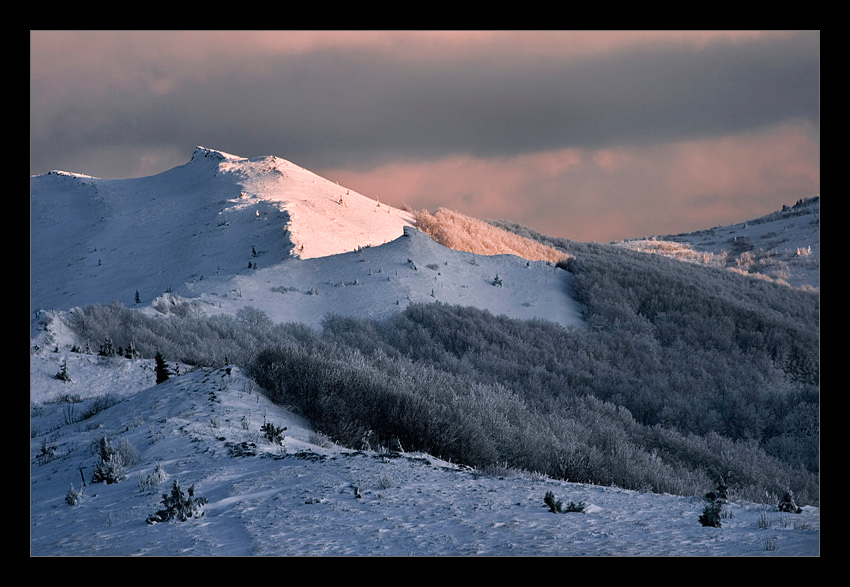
(301, 497)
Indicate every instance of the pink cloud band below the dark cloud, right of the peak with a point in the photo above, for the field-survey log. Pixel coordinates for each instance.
(615, 193)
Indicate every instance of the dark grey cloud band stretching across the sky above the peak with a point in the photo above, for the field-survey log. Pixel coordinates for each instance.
(336, 107)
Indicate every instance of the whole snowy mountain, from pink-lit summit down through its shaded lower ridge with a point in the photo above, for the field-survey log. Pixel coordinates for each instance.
(229, 232)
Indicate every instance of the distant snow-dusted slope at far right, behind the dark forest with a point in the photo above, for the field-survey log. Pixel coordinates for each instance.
(783, 246)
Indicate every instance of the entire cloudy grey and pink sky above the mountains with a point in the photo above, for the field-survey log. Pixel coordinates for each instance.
(589, 135)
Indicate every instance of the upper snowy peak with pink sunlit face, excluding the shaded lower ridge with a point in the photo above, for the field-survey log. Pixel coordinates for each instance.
(98, 240)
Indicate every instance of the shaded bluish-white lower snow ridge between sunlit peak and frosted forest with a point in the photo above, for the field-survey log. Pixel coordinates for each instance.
(376, 282)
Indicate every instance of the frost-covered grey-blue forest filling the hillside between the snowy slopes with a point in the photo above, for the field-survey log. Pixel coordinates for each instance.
(684, 375)
